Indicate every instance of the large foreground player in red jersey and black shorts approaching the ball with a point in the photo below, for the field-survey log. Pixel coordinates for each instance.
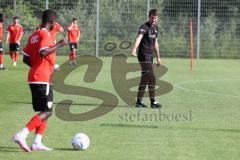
(40, 54)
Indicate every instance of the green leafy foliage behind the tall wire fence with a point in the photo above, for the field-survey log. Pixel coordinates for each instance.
(121, 19)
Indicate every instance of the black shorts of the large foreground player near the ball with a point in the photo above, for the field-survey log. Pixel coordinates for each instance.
(42, 97)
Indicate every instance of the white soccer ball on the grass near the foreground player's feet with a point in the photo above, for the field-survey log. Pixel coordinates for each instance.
(80, 141)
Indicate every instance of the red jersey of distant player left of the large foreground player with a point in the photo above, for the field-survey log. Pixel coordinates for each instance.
(15, 31)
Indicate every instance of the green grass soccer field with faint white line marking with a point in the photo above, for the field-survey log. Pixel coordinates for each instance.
(208, 98)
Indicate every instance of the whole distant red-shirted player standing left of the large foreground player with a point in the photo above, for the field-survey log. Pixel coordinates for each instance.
(14, 32)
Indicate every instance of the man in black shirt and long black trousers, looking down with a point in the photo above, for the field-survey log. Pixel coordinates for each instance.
(148, 44)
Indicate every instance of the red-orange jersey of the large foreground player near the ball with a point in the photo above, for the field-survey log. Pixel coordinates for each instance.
(42, 67)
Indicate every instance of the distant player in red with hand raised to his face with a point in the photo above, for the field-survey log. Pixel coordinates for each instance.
(73, 38)
